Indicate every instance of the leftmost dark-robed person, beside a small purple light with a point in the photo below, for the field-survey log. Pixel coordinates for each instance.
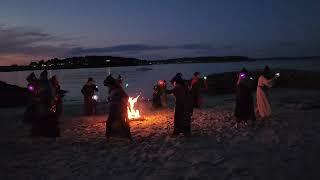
(33, 100)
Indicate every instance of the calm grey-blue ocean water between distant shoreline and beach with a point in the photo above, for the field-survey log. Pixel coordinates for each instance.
(141, 81)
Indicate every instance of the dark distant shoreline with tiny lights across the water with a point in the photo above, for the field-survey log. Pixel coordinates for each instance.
(101, 62)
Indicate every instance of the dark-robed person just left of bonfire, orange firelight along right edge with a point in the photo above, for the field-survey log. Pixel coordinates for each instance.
(117, 124)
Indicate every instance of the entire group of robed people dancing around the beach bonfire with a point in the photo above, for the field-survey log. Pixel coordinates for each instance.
(45, 105)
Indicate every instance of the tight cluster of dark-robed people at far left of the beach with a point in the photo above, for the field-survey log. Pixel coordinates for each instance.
(44, 106)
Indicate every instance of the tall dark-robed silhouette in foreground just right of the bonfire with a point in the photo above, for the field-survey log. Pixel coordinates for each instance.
(183, 106)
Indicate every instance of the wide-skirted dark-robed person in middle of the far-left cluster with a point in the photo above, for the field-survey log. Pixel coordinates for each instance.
(46, 124)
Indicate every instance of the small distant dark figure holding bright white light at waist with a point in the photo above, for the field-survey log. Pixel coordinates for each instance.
(88, 91)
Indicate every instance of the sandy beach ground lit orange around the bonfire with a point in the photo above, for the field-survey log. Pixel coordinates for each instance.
(285, 147)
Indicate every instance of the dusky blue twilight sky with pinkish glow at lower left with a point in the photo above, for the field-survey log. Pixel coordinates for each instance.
(157, 29)
